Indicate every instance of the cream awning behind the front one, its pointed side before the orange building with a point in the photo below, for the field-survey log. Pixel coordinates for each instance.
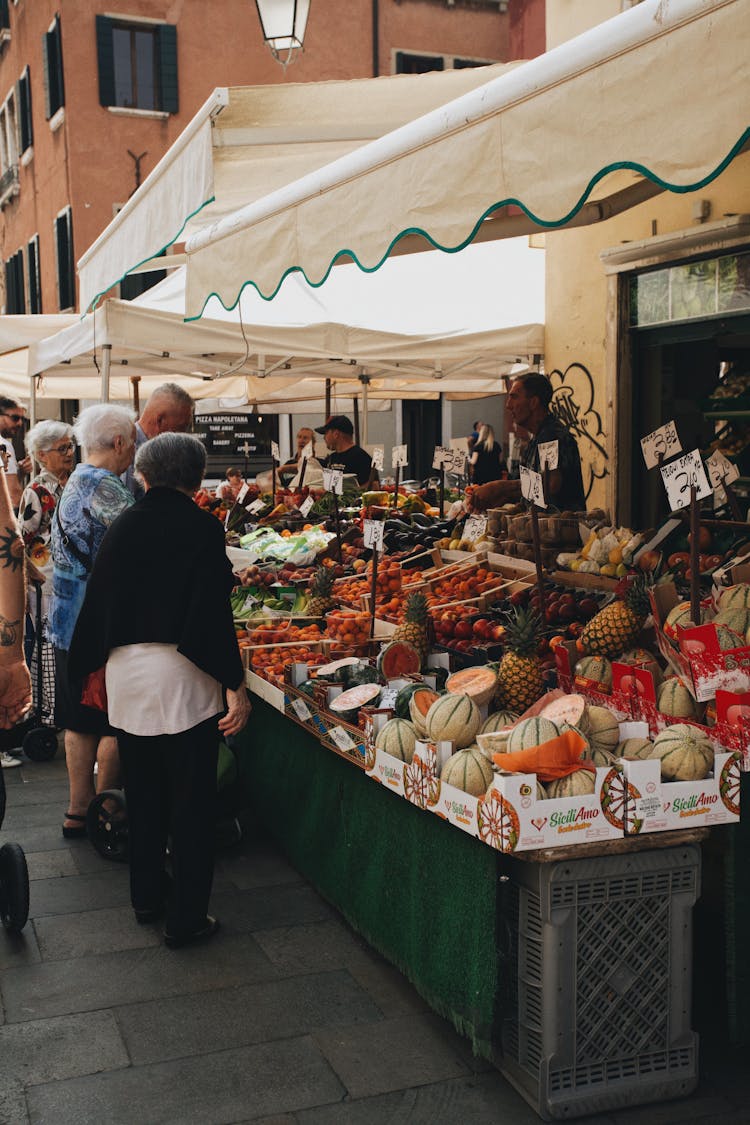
(248, 141)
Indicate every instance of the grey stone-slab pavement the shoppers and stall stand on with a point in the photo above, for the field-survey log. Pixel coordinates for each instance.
(285, 1019)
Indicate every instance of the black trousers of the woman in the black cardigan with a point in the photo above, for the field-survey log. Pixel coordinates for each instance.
(170, 788)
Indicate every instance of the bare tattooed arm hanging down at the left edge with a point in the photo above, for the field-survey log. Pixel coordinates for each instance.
(15, 680)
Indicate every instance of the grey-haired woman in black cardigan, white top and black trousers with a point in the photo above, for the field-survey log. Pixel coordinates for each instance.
(157, 616)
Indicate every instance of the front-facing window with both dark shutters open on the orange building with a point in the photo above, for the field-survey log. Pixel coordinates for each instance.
(138, 66)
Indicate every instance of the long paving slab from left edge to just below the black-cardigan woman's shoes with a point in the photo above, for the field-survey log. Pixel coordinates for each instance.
(131, 976)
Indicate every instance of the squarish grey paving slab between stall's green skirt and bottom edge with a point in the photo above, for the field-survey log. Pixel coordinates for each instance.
(405, 1052)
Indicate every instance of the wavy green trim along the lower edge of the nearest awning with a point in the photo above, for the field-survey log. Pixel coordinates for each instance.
(547, 224)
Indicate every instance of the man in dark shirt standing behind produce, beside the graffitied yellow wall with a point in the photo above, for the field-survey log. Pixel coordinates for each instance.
(529, 406)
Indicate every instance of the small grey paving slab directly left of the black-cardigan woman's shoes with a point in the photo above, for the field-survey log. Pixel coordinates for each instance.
(82, 935)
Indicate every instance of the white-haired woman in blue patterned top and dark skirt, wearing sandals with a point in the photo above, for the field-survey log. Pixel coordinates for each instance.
(92, 501)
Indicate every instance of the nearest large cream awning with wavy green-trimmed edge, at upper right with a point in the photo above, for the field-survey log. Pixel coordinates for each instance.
(655, 100)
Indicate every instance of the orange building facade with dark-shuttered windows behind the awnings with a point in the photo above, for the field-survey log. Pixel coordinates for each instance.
(93, 95)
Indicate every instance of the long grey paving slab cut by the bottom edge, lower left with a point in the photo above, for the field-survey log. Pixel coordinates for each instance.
(255, 1082)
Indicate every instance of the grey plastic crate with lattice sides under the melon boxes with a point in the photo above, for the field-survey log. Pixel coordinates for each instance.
(598, 984)
